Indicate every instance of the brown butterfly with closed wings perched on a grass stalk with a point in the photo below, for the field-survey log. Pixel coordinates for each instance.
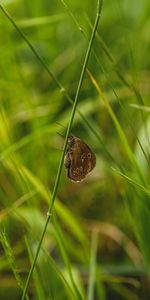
(79, 159)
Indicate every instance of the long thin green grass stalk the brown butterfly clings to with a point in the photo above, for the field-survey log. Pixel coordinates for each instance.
(50, 210)
